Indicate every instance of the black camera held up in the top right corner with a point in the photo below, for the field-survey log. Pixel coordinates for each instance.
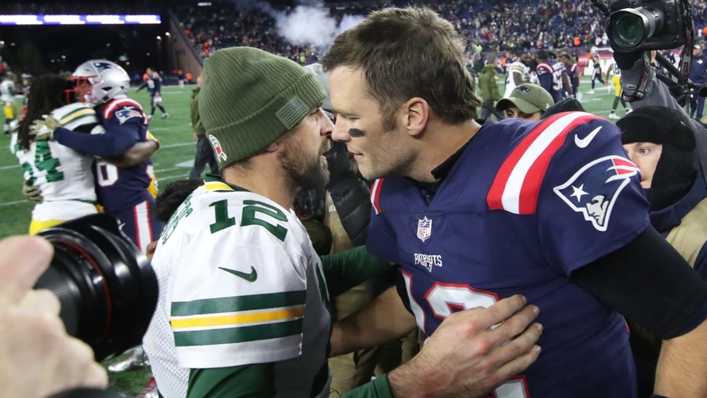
(647, 25)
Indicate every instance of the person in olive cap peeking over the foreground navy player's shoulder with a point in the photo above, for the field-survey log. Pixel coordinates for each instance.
(527, 102)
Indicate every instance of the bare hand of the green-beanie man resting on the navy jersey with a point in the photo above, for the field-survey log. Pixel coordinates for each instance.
(465, 357)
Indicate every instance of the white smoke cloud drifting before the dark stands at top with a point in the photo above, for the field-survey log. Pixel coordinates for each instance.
(308, 23)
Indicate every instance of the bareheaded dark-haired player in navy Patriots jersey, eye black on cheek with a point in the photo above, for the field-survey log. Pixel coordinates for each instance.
(474, 213)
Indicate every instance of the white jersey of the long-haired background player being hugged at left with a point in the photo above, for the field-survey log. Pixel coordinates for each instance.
(64, 175)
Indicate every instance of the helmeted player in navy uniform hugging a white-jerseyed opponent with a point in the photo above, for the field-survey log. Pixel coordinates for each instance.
(122, 191)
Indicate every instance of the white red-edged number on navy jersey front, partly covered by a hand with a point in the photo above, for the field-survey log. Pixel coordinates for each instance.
(444, 298)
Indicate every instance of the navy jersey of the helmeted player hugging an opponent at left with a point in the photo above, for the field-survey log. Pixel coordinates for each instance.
(122, 187)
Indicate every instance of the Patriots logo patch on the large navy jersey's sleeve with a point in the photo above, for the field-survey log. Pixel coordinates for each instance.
(593, 189)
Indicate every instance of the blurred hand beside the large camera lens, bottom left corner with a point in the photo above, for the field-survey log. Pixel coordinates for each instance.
(37, 357)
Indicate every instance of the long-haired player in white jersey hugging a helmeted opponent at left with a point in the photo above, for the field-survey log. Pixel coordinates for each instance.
(61, 179)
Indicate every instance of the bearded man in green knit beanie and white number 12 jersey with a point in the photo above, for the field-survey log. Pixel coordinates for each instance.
(242, 308)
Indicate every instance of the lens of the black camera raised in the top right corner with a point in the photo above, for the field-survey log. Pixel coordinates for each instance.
(628, 28)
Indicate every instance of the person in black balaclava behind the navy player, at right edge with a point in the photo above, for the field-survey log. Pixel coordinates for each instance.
(660, 141)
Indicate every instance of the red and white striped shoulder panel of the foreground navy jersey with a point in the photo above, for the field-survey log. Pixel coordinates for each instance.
(517, 184)
